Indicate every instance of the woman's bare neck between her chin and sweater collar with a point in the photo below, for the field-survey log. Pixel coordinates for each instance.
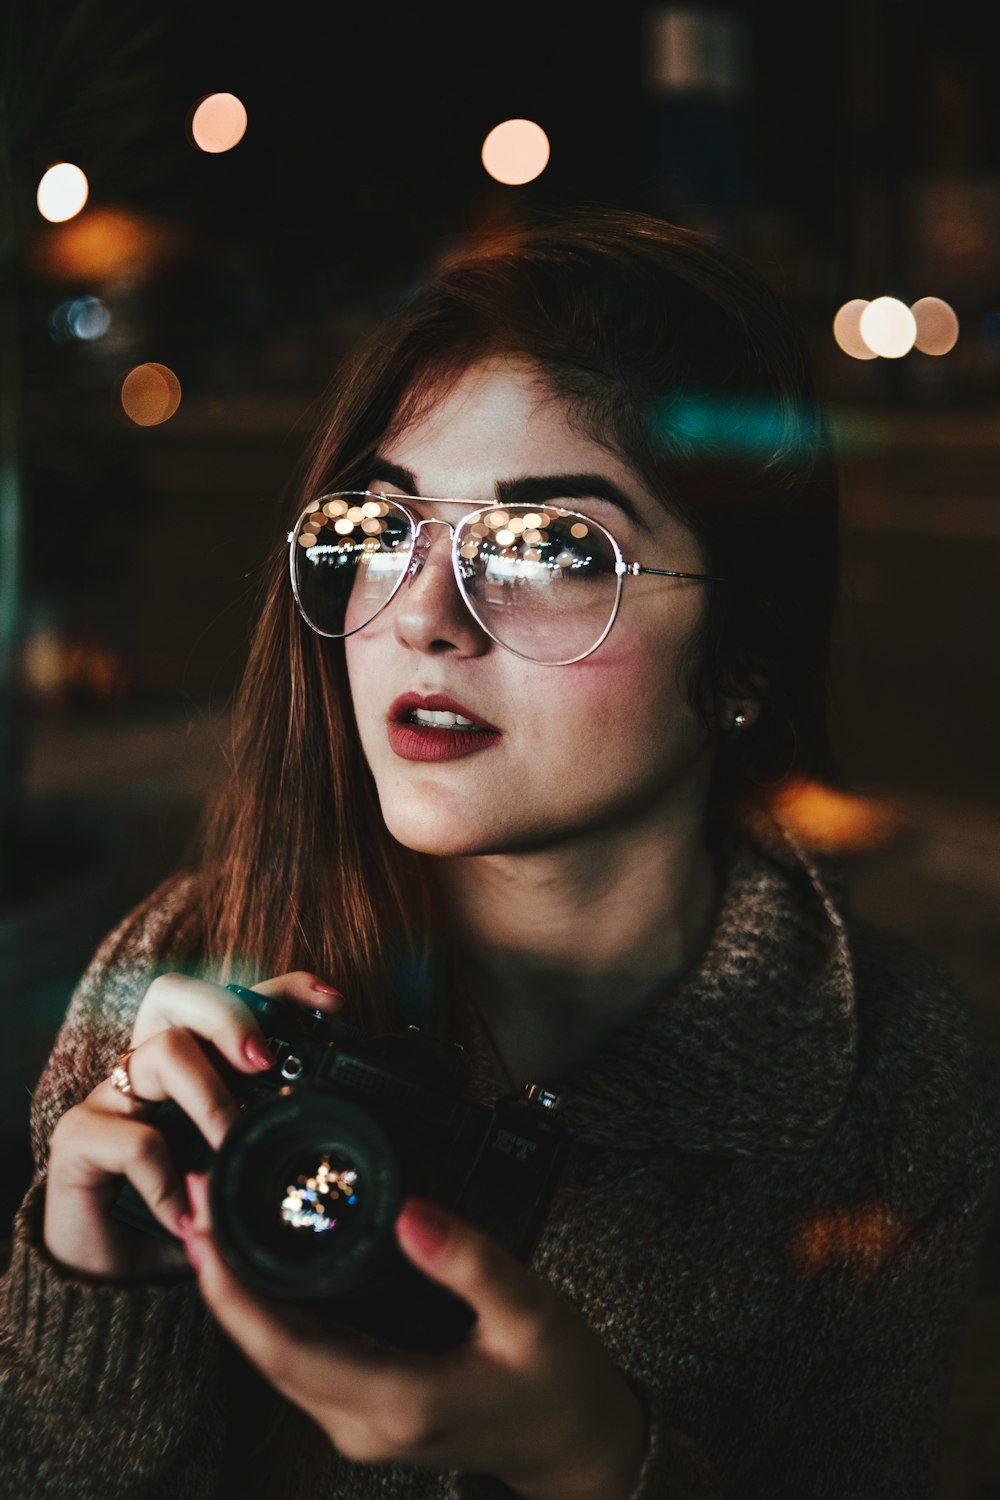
(558, 947)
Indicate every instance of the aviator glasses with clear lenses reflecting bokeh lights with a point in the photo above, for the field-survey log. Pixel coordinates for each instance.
(542, 581)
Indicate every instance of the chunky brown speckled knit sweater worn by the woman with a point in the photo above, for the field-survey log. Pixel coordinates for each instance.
(773, 1216)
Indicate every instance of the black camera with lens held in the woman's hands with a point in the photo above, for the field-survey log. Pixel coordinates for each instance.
(308, 1184)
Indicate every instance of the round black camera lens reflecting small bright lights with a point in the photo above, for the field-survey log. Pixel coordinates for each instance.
(305, 1193)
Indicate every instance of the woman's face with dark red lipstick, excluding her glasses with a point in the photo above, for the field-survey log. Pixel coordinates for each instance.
(576, 749)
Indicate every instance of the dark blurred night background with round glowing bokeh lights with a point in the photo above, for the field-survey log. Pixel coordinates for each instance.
(259, 187)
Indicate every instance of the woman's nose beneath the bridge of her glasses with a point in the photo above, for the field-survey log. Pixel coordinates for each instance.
(430, 611)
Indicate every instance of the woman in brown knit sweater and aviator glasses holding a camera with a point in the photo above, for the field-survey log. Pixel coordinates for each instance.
(563, 578)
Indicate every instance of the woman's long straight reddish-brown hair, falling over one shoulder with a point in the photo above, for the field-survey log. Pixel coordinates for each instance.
(680, 359)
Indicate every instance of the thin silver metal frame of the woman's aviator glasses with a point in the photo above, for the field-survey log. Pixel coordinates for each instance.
(415, 563)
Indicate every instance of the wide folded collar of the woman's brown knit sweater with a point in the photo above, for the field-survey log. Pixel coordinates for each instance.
(752, 1054)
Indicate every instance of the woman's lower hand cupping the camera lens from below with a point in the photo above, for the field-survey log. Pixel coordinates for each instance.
(531, 1397)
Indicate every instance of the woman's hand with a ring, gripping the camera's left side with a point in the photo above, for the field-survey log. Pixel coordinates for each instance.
(110, 1136)
